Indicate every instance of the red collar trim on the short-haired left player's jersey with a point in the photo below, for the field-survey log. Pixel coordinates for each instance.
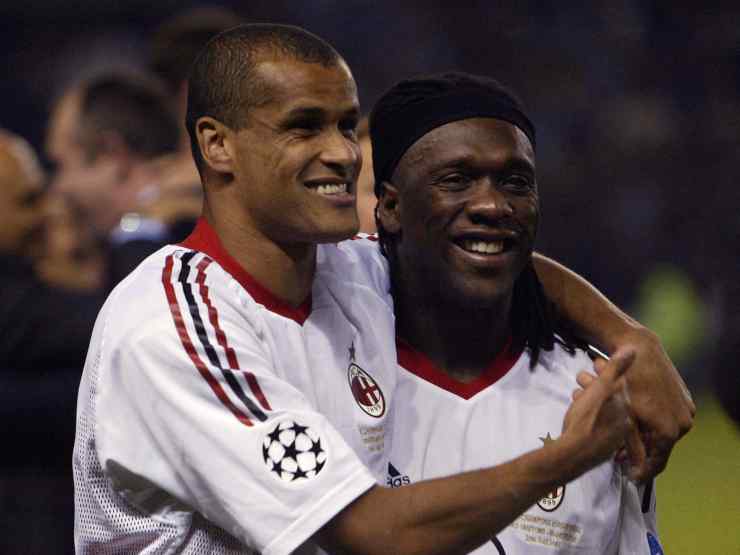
(204, 239)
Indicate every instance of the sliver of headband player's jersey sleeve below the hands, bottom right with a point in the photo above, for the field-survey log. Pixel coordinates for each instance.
(638, 523)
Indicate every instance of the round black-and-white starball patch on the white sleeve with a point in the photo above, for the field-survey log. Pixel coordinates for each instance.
(293, 452)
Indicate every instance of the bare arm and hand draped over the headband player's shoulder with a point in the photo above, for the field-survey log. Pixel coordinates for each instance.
(660, 399)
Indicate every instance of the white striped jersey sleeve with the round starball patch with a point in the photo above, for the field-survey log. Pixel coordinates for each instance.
(190, 404)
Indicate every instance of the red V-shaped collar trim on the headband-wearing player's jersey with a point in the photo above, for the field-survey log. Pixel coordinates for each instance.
(419, 364)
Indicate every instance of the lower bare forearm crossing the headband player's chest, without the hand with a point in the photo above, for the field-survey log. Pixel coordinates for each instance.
(449, 515)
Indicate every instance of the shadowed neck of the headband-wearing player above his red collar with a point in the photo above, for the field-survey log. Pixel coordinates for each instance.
(461, 341)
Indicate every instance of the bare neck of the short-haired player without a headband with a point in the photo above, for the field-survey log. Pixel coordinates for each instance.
(286, 271)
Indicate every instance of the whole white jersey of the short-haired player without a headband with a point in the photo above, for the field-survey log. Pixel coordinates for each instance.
(213, 418)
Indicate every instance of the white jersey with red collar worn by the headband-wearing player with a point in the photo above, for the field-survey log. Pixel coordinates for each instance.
(442, 427)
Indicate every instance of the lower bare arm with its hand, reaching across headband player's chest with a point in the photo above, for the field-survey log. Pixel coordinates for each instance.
(459, 513)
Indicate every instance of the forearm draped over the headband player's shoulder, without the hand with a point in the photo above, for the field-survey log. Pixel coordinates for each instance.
(590, 314)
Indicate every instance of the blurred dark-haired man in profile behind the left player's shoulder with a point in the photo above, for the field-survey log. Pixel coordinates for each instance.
(109, 138)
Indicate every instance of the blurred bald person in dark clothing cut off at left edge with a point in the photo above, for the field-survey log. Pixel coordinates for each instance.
(44, 332)
